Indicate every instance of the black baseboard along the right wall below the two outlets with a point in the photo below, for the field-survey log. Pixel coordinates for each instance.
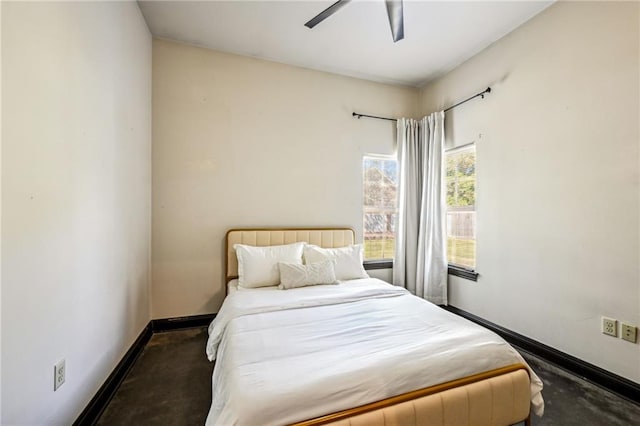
(616, 384)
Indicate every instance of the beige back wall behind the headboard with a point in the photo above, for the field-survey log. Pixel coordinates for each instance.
(243, 142)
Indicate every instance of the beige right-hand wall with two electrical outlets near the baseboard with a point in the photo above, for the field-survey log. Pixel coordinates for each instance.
(558, 178)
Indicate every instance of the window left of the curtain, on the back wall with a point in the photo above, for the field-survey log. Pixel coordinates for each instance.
(380, 178)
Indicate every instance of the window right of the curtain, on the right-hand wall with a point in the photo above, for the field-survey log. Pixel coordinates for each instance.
(460, 181)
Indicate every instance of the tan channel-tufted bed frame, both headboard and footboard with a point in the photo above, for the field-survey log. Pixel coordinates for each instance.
(498, 397)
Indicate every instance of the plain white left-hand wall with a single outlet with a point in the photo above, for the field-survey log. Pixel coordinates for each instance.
(76, 200)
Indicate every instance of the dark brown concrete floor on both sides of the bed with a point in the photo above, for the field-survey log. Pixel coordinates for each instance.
(170, 384)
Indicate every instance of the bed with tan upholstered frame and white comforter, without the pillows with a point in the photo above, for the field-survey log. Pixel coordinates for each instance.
(360, 352)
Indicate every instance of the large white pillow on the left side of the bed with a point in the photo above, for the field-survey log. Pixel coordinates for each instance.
(258, 266)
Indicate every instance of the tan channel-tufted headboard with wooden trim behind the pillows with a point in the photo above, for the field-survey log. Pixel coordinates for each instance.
(323, 237)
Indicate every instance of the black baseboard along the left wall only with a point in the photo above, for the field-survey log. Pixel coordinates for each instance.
(98, 403)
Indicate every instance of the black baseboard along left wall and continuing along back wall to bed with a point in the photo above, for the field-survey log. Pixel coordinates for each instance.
(98, 403)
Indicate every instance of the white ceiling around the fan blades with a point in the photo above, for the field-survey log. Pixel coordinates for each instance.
(355, 41)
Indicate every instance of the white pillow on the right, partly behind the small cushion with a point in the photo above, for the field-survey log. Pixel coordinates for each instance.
(347, 260)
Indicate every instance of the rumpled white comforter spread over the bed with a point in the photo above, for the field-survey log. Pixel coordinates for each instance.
(288, 355)
